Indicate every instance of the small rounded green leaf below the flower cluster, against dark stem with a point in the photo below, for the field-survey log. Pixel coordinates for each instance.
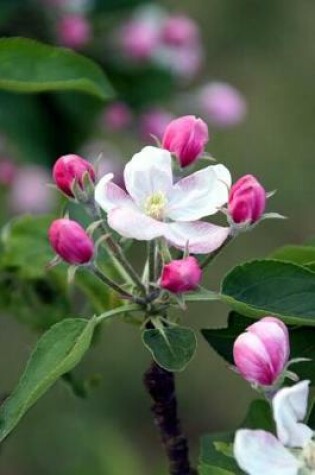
(173, 349)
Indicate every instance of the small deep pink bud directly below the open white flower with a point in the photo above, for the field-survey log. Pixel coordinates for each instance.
(181, 275)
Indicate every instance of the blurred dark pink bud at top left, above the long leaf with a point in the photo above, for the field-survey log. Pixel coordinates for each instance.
(74, 31)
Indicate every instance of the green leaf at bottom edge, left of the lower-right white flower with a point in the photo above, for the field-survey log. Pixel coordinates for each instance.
(216, 455)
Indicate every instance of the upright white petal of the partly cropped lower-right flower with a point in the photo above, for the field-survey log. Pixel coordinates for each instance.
(289, 408)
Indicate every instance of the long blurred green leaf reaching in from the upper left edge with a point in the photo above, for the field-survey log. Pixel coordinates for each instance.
(29, 66)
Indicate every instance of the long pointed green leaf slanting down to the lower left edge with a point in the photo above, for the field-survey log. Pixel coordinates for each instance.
(57, 352)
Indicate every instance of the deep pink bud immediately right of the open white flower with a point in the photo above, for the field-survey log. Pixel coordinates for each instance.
(247, 200)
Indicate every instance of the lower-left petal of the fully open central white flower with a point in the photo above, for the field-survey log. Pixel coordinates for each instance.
(131, 223)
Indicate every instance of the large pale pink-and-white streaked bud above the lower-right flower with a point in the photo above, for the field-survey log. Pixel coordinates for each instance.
(262, 351)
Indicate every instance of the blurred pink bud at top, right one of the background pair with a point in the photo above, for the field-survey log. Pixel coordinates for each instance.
(179, 31)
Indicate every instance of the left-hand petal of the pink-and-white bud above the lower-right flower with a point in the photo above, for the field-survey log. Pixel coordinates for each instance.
(252, 359)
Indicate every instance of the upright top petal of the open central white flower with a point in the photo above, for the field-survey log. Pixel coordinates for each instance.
(148, 172)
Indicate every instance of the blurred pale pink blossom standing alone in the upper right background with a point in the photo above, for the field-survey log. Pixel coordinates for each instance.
(221, 104)
